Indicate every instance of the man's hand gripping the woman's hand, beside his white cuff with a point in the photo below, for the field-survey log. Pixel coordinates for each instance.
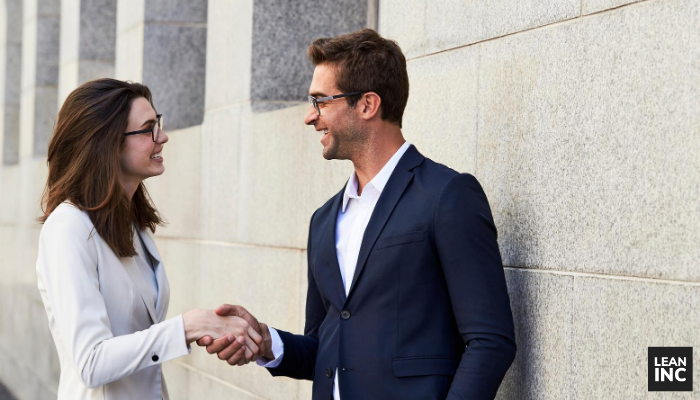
(233, 352)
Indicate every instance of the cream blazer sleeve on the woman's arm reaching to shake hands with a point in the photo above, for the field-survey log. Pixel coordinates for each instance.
(67, 270)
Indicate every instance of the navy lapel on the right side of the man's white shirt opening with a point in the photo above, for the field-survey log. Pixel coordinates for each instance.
(391, 194)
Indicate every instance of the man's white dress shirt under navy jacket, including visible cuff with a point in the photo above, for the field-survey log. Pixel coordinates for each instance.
(353, 217)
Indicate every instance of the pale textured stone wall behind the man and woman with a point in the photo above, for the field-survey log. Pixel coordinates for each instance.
(579, 117)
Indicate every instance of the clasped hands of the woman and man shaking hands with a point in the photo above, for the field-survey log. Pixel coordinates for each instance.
(231, 332)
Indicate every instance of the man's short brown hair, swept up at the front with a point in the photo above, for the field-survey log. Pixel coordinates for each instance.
(366, 62)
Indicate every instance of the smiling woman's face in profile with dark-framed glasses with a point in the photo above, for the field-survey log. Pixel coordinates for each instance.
(141, 158)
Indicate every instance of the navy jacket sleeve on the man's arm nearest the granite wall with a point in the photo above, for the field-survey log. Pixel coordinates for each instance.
(466, 240)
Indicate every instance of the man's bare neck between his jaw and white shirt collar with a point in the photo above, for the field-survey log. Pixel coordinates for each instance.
(374, 157)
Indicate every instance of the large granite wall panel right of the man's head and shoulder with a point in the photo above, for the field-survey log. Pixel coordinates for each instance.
(587, 142)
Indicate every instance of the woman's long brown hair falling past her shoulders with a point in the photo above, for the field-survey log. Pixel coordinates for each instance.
(84, 162)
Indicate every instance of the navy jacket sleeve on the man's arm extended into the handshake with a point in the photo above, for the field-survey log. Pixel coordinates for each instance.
(300, 351)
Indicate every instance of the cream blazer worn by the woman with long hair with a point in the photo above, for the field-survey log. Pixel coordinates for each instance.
(110, 339)
